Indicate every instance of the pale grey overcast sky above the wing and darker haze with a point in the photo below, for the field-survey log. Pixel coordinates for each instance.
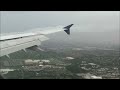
(85, 21)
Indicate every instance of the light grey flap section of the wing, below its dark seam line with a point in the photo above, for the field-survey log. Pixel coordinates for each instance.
(12, 46)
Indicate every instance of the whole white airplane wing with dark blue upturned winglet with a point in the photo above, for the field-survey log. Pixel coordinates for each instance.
(30, 40)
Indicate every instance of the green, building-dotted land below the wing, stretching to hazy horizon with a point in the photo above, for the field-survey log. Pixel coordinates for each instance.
(63, 62)
